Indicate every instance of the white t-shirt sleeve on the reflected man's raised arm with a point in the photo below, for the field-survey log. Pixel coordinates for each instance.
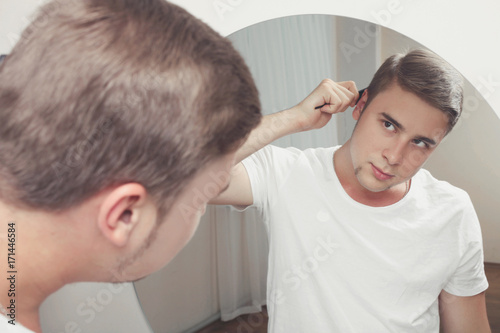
(267, 170)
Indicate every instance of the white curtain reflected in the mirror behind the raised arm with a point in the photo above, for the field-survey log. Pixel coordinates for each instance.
(288, 58)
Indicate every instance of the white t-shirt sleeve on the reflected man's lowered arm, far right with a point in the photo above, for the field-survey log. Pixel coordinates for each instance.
(469, 278)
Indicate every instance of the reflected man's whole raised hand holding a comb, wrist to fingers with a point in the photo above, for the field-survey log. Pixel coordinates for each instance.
(336, 97)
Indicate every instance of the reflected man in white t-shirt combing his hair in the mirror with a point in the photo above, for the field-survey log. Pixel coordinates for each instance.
(361, 238)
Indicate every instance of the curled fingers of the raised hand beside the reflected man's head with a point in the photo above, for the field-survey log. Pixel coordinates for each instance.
(337, 97)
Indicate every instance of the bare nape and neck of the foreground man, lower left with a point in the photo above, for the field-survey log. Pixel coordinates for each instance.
(37, 254)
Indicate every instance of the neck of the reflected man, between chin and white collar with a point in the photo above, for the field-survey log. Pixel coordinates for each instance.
(345, 172)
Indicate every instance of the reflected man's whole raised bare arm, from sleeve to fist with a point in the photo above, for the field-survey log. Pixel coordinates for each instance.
(333, 97)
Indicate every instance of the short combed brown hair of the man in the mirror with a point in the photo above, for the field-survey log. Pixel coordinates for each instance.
(426, 75)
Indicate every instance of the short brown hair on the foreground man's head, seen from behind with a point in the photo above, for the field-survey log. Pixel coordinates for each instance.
(98, 93)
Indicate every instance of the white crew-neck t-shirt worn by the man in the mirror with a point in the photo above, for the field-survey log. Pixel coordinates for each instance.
(336, 265)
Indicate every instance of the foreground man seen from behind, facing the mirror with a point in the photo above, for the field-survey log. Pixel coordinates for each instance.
(113, 114)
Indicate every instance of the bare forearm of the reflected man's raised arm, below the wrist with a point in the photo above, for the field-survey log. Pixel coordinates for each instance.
(271, 128)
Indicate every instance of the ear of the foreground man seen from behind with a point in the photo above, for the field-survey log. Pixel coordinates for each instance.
(121, 211)
